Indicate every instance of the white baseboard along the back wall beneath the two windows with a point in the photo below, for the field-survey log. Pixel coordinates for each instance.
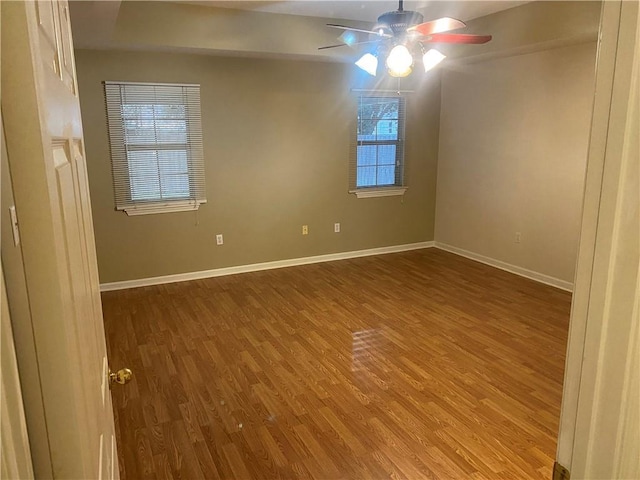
(255, 267)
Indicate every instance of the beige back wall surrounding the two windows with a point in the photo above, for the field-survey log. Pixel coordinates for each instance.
(276, 140)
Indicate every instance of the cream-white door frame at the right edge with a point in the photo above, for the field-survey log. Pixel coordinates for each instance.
(597, 403)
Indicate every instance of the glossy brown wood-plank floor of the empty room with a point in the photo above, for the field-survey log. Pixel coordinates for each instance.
(412, 365)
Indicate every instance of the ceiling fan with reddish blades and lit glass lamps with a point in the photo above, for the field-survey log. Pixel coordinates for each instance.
(400, 36)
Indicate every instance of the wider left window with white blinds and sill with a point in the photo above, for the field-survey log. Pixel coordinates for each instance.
(156, 146)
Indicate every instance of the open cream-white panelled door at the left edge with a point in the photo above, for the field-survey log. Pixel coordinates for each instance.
(43, 129)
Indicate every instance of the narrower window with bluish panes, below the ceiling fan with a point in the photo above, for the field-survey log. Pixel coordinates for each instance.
(378, 160)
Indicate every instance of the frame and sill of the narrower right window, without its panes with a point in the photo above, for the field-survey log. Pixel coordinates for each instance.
(399, 186)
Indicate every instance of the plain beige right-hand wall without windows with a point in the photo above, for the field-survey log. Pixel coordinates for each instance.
(513, 143)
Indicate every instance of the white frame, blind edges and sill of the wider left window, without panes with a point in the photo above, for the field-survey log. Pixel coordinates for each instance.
(119, 94)
